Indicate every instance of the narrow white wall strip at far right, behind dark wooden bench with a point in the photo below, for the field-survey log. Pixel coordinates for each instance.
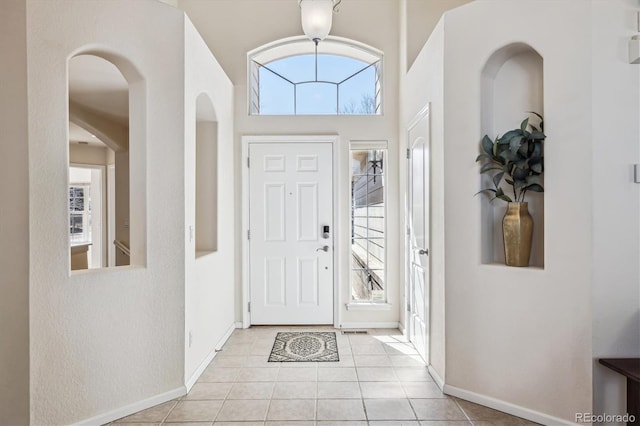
(616, 231)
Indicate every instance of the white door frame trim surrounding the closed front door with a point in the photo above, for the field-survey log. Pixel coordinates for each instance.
(247, 140)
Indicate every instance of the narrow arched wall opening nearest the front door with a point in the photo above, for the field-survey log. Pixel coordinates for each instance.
(206, 232)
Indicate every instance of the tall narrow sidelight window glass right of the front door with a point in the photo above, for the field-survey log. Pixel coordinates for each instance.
(368, 226)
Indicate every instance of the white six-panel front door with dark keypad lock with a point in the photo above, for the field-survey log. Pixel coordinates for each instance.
(290, 254)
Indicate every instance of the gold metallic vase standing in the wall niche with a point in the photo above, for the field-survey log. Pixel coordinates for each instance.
(517, 230)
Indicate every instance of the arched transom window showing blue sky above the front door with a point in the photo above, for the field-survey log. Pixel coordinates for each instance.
(296, 77)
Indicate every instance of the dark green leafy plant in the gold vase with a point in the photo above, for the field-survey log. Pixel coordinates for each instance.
(516, 158)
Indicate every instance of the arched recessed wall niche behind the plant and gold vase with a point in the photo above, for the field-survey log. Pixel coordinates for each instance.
(511, 85)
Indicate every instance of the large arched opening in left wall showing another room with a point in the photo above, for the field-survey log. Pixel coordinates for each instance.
(107, 135)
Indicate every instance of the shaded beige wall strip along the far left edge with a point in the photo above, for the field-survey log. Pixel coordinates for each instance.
(14, 214)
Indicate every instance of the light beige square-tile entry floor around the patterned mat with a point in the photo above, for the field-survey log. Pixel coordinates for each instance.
(379, 381)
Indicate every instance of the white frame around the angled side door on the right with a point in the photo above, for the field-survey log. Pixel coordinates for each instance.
(422, 114)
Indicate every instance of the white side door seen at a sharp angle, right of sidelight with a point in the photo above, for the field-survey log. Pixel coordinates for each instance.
(418, 241)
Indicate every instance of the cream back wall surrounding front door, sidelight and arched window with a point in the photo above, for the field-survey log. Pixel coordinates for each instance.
(230, 32)
